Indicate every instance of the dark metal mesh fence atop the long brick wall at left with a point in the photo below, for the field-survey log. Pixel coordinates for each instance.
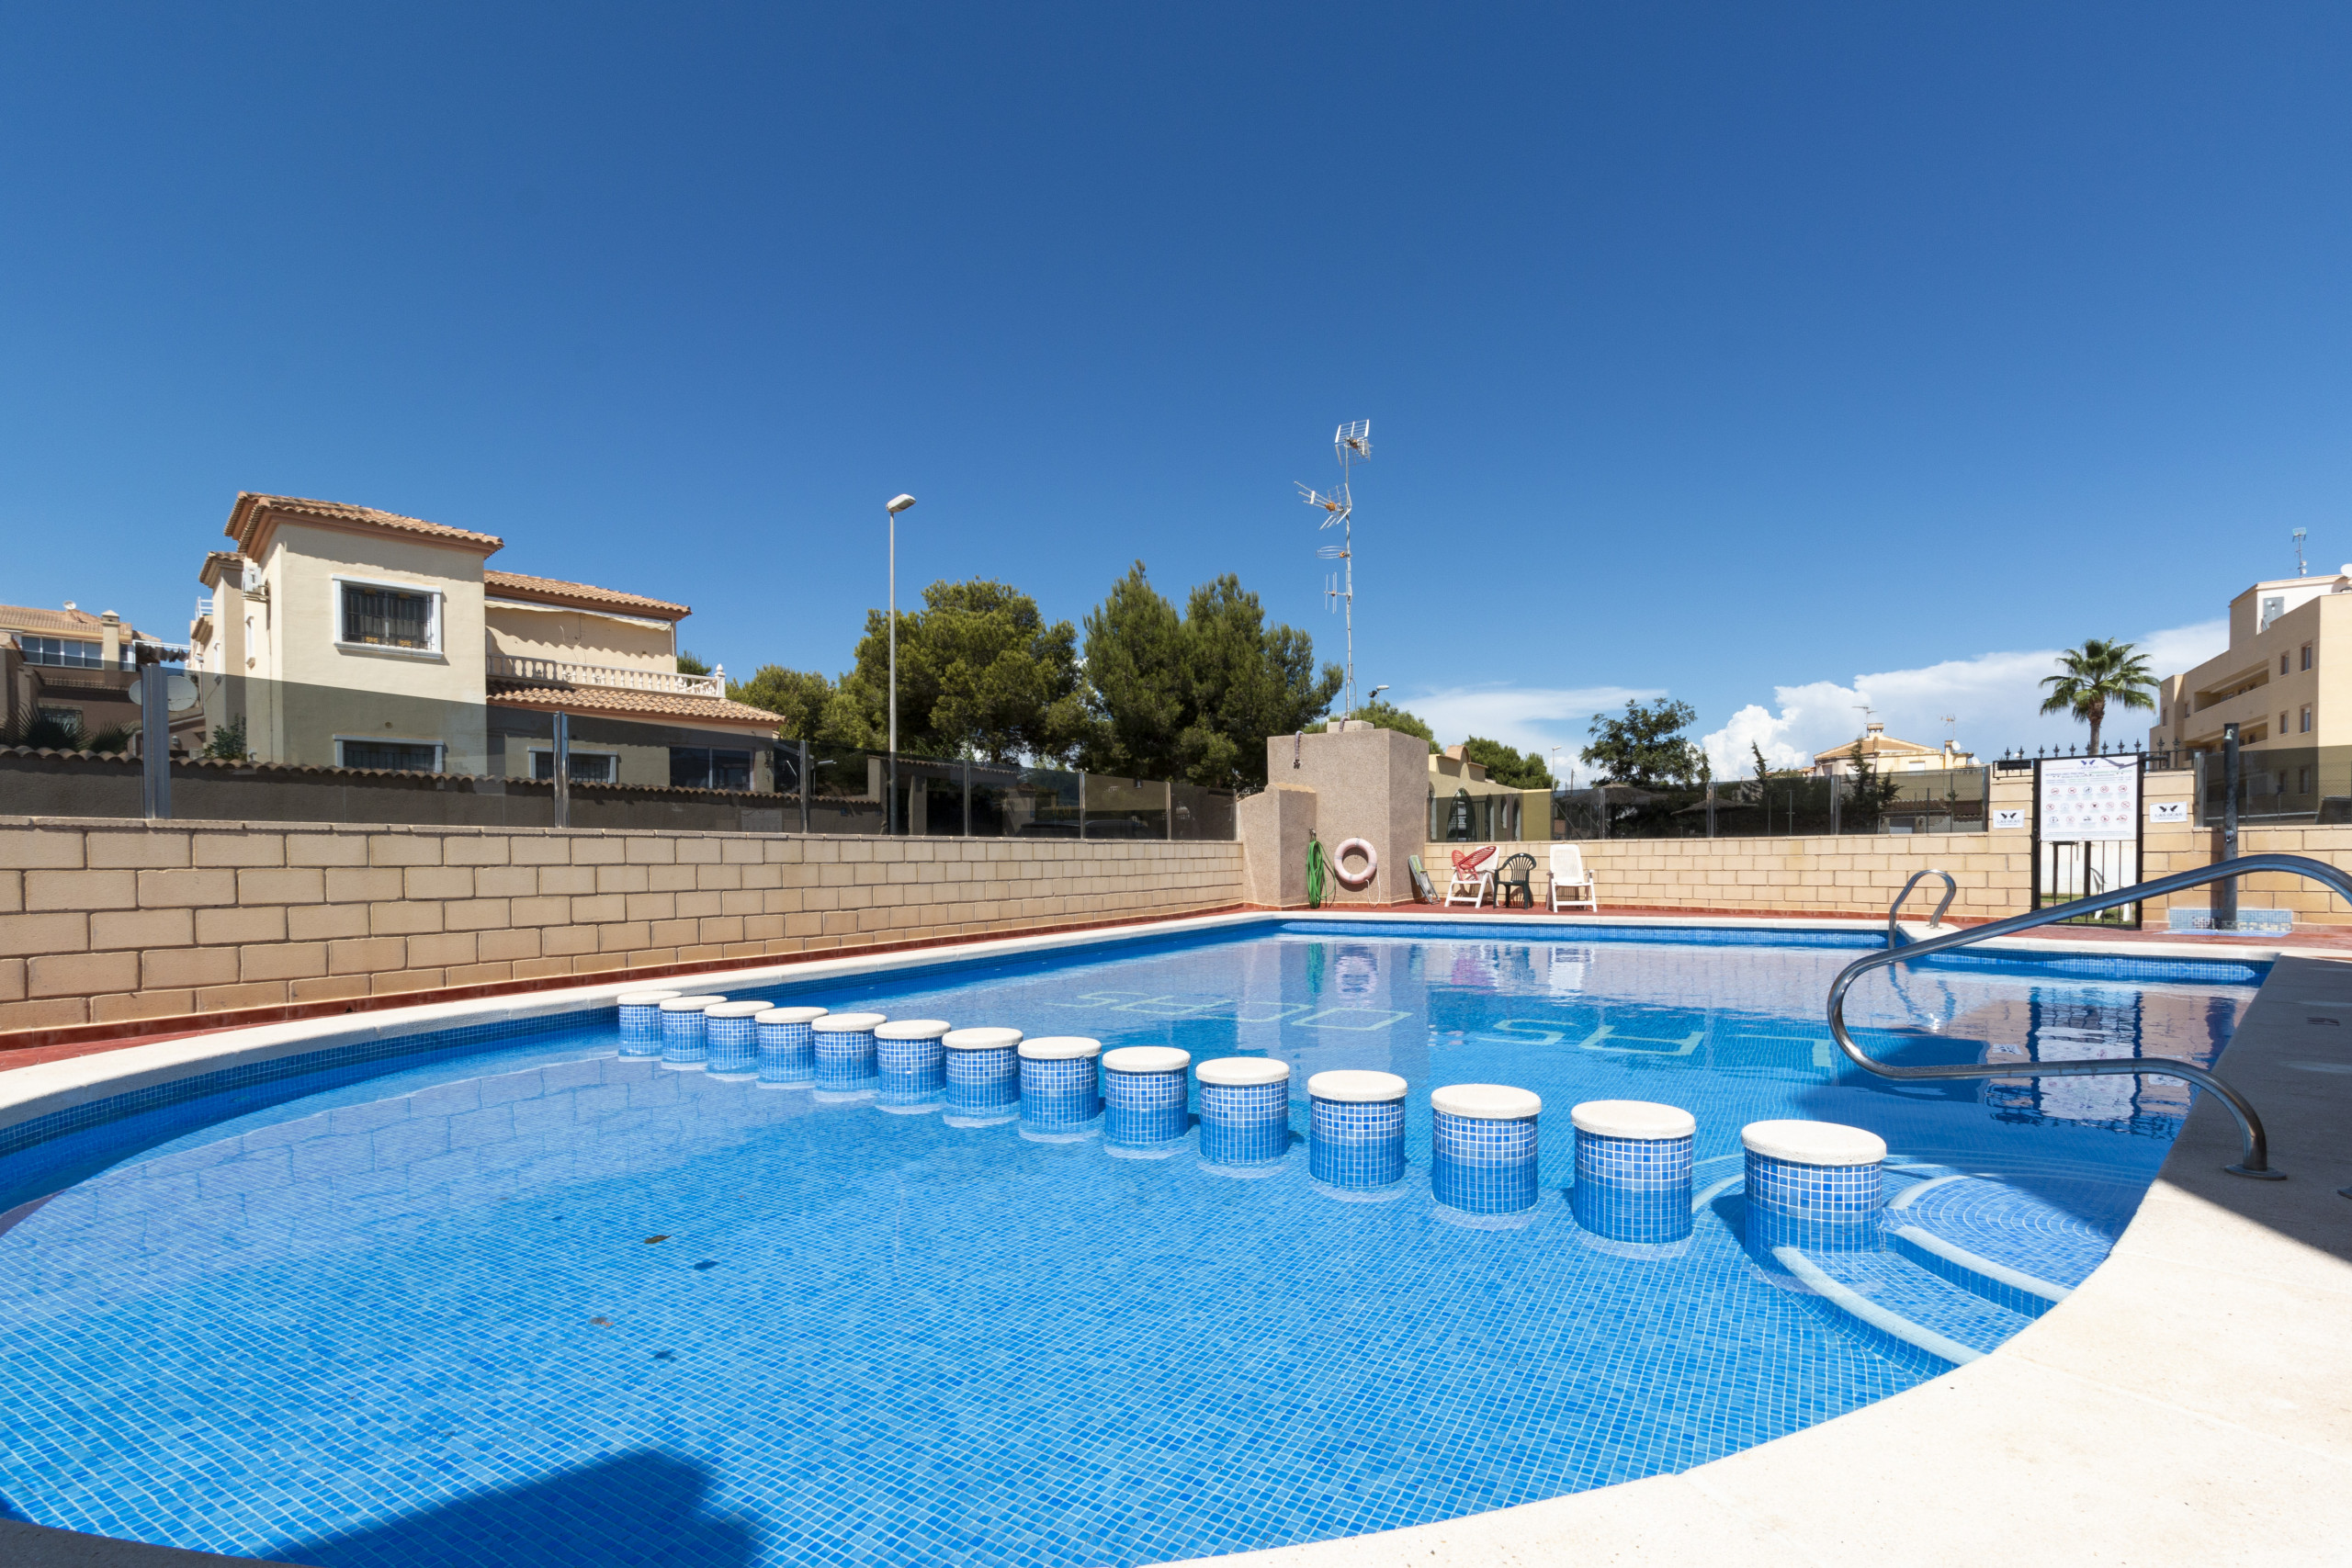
(288, 753)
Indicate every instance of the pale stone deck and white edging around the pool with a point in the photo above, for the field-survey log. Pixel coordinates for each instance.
(2189, 1405)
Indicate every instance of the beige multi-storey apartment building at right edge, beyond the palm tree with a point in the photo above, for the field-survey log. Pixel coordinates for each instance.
(2285, 681)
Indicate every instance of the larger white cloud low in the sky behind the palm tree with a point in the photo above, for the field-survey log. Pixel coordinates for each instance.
(1993, 699)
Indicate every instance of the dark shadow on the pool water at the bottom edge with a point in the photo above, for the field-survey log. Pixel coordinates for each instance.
(639, 1510)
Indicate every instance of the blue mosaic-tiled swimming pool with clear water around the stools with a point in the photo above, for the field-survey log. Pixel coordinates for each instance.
(514, 1299)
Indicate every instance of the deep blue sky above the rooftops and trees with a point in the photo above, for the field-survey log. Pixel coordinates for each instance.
(1720, 351)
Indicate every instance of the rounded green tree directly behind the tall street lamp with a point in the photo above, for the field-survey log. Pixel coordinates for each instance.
(980, 671)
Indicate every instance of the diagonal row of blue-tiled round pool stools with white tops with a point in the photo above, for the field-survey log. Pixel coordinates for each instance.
(1633, 1160)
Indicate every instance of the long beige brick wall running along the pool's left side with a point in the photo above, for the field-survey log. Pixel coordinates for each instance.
(109, 920)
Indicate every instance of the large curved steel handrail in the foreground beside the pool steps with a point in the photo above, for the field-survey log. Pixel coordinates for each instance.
(2257, 1160)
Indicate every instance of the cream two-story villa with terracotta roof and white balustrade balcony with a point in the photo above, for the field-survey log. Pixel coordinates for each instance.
(354, 638)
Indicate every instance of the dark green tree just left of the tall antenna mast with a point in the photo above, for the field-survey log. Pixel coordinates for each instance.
(1196, 697)
